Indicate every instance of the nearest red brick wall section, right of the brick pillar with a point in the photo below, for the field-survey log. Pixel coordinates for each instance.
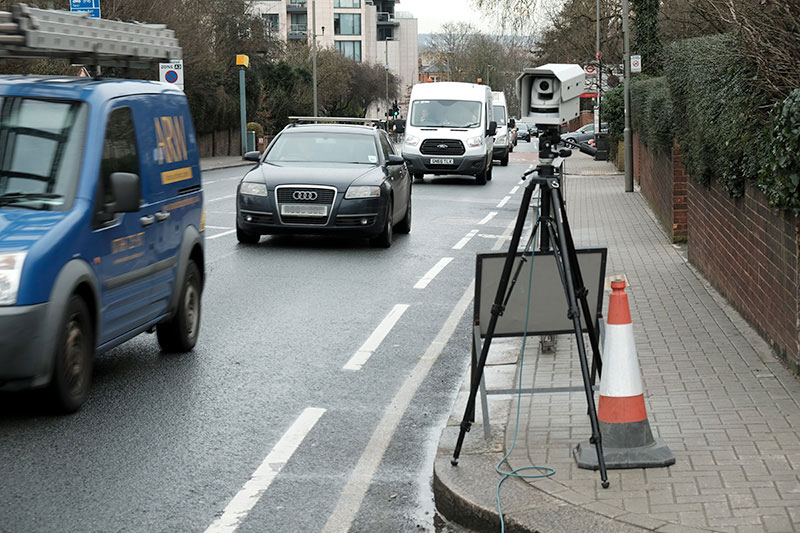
(749, 253)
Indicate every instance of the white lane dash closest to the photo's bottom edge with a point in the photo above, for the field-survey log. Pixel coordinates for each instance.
(251, 492)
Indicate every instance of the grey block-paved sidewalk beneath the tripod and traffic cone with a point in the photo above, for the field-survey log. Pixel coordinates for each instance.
(714, 392)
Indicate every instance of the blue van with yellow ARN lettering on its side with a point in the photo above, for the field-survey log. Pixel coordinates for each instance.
(101, 226)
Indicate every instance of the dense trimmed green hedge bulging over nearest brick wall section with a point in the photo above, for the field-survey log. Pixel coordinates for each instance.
(716, 117)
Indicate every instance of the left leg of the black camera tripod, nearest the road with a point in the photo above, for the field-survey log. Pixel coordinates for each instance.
(497, 311)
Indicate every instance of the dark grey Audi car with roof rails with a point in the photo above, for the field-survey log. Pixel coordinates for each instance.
(332, 178)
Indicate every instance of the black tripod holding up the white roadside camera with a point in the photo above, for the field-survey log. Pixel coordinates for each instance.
(555, 229)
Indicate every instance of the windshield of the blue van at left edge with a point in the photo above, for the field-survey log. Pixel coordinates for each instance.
(41, 142)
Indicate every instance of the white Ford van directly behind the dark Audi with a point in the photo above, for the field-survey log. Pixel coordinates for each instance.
(450, 130)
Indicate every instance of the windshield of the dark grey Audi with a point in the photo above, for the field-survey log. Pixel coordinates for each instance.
(324, 147)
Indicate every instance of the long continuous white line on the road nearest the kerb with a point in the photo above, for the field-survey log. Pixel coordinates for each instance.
(353, 492)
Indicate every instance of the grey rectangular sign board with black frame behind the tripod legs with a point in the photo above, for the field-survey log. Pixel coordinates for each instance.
(547, 312)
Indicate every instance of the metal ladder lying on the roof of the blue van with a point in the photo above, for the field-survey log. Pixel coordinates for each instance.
(31, 33)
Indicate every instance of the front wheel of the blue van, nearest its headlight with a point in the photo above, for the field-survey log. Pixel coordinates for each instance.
(72, 366)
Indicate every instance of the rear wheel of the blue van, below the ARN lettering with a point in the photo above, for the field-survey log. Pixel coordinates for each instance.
(179, 333)
